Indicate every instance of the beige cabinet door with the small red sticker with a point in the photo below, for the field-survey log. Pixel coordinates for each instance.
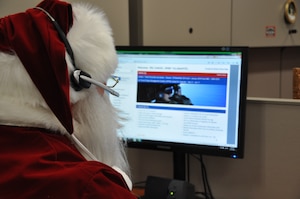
(258, 23)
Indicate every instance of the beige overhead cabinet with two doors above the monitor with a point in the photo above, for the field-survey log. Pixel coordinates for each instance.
(252, 23)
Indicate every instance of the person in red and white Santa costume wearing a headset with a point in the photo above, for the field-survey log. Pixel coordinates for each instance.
(57, 126)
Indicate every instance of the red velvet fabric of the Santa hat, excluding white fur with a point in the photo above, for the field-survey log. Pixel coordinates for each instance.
(34, 39)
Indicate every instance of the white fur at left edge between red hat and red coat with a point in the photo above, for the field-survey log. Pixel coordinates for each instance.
(21, 104)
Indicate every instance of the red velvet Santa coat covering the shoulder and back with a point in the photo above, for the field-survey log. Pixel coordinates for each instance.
(39, 164)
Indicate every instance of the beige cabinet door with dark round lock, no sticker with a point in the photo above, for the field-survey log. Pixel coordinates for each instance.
(188, 22)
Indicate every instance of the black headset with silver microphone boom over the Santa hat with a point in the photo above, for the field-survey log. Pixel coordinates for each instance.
(79, 79)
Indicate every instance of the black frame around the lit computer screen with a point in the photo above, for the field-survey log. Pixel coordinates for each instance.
(237, 152)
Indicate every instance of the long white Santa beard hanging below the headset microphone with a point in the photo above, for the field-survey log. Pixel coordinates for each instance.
(95, 125)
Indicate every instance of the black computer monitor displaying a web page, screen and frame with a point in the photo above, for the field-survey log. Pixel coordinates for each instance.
(188, 99)
